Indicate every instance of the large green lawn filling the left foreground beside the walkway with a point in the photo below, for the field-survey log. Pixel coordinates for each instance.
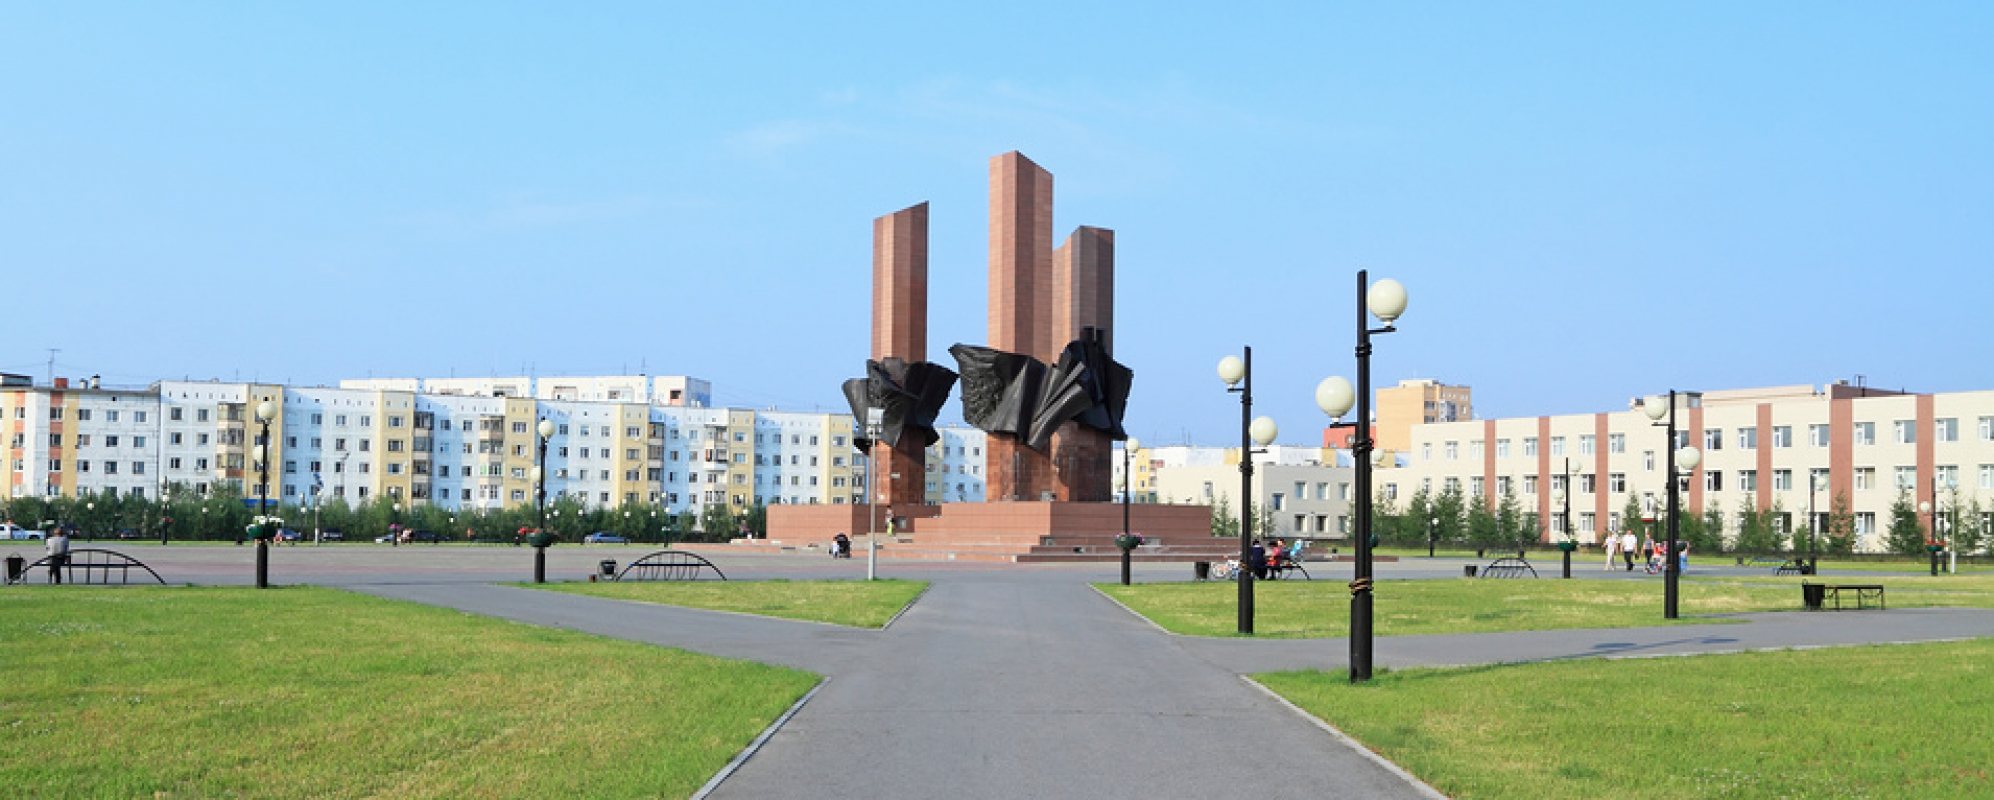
(200, 693)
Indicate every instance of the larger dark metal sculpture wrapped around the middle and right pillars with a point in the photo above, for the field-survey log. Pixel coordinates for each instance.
(1024, 398)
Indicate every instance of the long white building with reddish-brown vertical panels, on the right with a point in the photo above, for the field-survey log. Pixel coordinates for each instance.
(1760, 450)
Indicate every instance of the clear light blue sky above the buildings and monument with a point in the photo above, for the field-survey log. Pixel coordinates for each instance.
(1586, 200)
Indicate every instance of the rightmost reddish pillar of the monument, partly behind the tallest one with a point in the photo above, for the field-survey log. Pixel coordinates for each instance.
(1084, 304)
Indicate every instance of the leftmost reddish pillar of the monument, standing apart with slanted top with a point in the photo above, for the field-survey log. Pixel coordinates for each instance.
(900, 332)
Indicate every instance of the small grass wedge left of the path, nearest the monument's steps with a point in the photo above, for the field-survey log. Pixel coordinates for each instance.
(856, 603)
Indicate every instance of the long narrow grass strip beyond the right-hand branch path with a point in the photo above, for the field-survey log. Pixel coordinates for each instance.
(1303, 609)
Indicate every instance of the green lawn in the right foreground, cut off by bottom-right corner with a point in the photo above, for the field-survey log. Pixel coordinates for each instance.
(1905, 721)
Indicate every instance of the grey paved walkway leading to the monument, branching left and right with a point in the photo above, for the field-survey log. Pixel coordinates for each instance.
(1016, 683)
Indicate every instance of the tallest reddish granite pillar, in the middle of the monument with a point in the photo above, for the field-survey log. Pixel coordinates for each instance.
(1020, 298)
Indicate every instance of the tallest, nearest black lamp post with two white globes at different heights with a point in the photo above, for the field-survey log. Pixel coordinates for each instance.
(1335, 396)
